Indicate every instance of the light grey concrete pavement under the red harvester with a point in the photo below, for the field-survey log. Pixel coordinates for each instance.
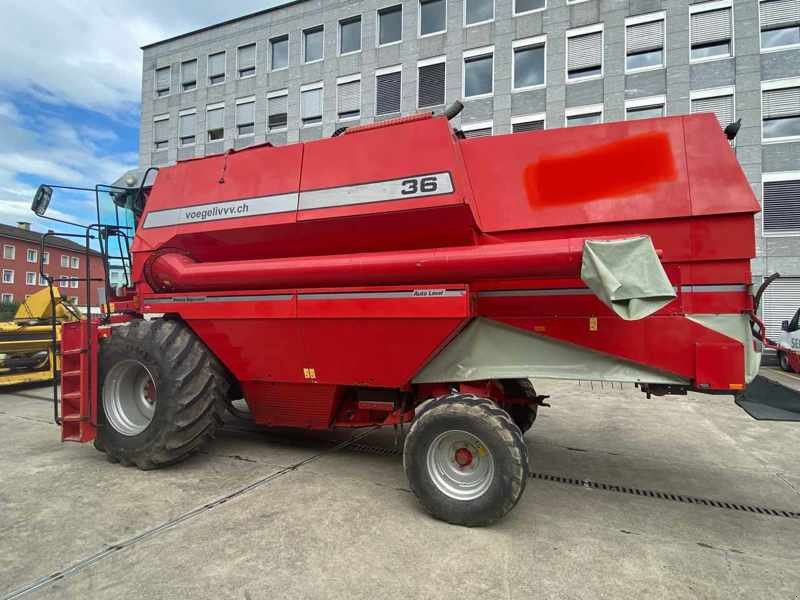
(346, 526)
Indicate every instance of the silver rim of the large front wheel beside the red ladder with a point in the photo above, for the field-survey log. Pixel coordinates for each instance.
(129, 397)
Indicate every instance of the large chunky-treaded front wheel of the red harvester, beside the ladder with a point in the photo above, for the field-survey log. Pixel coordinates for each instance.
(161, 393)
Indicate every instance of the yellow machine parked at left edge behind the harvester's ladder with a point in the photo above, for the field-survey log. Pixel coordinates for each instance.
(26, 343)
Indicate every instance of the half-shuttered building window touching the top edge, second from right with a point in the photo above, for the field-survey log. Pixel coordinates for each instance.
(711, 30)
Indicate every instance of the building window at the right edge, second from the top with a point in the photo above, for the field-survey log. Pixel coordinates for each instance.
(780, 110)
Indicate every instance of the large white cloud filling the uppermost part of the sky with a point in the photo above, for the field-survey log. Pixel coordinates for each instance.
(86, 53)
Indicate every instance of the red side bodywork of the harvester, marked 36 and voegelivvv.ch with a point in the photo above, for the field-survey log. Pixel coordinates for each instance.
(354, 279)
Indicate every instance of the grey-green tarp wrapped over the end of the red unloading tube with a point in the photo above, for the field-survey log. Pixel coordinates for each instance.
(627, 276)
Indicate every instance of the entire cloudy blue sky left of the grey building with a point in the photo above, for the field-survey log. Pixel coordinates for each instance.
(70, 89)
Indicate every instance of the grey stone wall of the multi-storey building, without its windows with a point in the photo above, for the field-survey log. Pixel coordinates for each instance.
(678, 81)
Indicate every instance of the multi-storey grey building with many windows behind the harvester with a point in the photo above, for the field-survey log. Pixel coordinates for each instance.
(300, 71)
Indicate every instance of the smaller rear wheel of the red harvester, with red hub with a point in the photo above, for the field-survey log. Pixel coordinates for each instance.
(466, 460)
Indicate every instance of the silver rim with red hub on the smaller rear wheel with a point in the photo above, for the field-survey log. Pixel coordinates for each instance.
(460, 465)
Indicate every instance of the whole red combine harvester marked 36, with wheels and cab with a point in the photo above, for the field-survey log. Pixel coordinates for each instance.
(398, 273)
